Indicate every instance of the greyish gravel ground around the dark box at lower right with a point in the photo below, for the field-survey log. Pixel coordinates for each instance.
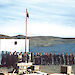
(53, 68)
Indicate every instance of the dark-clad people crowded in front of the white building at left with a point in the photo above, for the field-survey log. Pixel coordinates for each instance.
(9, 59)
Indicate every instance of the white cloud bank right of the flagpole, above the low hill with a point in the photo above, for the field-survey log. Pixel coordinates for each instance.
(50, 29)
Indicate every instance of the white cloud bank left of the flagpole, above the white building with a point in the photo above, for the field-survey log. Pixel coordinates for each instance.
(13, 28)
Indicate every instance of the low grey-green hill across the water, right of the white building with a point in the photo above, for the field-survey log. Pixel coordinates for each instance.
(49, 41)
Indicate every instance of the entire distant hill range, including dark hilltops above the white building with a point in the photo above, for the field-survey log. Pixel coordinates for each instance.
(41, 40)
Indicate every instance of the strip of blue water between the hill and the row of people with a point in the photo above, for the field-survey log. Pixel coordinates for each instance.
(58, 48)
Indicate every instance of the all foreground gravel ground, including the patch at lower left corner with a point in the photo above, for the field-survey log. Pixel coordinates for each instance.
(43, 68)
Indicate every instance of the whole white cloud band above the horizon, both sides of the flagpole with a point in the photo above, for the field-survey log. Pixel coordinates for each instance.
(38, 29)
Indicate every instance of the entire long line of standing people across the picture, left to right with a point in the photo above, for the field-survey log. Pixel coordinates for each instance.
(9, 59)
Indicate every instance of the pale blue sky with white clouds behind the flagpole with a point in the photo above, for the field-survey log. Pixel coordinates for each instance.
(46, 17)
